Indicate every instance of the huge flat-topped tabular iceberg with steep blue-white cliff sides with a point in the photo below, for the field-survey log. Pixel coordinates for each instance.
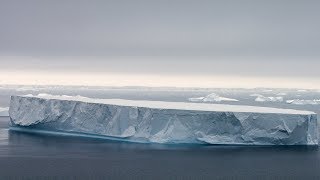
(164, 122)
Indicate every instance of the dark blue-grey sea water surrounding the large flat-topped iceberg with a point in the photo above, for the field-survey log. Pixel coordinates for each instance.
(38, 156)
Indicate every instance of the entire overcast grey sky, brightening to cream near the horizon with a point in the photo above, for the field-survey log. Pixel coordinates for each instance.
(183, 43)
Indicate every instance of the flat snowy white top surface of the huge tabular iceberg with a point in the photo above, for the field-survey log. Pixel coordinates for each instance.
(175, 105)
